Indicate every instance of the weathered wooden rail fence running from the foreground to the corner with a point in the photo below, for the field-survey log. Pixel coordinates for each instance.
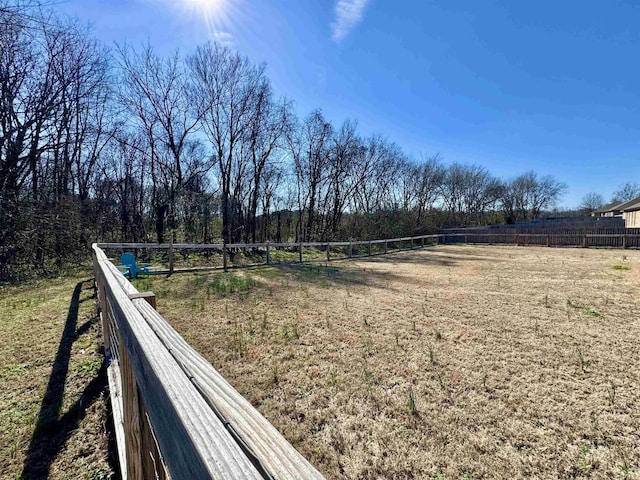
(175, 416)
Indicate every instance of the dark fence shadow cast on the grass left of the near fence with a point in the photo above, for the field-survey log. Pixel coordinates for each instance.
(52, 430)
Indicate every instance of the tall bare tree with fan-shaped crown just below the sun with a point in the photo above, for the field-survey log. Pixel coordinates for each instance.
(232, 97)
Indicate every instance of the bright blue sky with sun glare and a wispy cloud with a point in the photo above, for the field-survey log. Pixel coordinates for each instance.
(550, 86)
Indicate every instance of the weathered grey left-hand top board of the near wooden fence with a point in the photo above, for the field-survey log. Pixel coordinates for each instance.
(192, 439)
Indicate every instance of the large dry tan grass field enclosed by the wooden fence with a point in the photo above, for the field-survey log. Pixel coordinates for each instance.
(451, 362)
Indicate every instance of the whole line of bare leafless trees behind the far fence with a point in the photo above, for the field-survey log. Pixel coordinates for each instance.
(124, 144)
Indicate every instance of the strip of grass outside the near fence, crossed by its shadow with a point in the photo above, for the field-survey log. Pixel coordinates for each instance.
(53, 397)
